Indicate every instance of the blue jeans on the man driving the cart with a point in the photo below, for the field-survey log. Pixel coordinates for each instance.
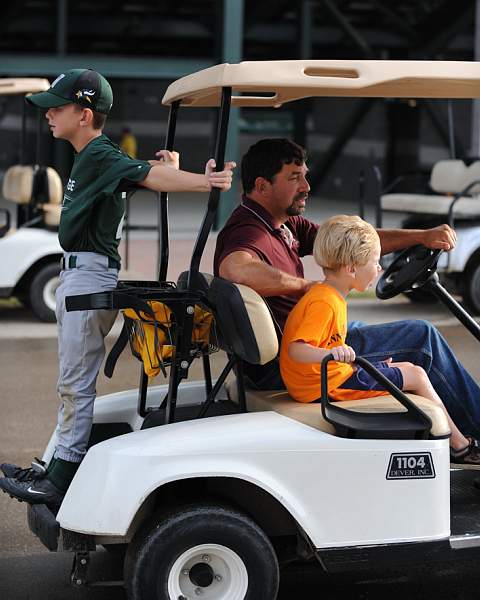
(420, 343)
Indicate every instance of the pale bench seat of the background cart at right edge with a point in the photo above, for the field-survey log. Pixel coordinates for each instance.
(457, 188)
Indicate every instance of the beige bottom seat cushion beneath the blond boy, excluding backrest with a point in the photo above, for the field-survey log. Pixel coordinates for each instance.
(311, 414)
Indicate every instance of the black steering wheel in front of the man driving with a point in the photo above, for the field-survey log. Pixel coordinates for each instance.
(410, 269)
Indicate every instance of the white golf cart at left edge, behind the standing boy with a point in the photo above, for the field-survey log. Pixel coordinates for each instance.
(30, 249)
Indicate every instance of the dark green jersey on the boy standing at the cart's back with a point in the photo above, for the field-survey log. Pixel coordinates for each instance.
(93, 206)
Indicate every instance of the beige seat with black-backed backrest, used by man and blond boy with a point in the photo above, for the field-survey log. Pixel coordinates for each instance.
(246, 329)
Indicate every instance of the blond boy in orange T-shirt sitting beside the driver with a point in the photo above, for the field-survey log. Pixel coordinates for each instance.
(348, 250)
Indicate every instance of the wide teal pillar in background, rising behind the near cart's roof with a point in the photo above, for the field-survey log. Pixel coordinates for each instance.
(232, 52)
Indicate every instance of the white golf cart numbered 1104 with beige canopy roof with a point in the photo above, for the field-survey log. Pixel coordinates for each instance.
(215, 507)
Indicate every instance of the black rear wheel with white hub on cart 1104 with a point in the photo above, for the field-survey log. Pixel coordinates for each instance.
(203, 550)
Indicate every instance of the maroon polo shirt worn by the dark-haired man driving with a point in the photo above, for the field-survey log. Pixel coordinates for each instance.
(250, 229)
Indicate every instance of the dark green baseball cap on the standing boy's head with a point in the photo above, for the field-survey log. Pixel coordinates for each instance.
(80, 86)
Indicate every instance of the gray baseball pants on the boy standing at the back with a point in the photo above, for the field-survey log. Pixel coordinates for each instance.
(81, 350)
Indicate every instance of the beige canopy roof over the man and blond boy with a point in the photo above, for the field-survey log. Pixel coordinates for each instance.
(272, 83)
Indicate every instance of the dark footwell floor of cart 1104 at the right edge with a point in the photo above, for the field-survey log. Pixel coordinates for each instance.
(465, 502)
